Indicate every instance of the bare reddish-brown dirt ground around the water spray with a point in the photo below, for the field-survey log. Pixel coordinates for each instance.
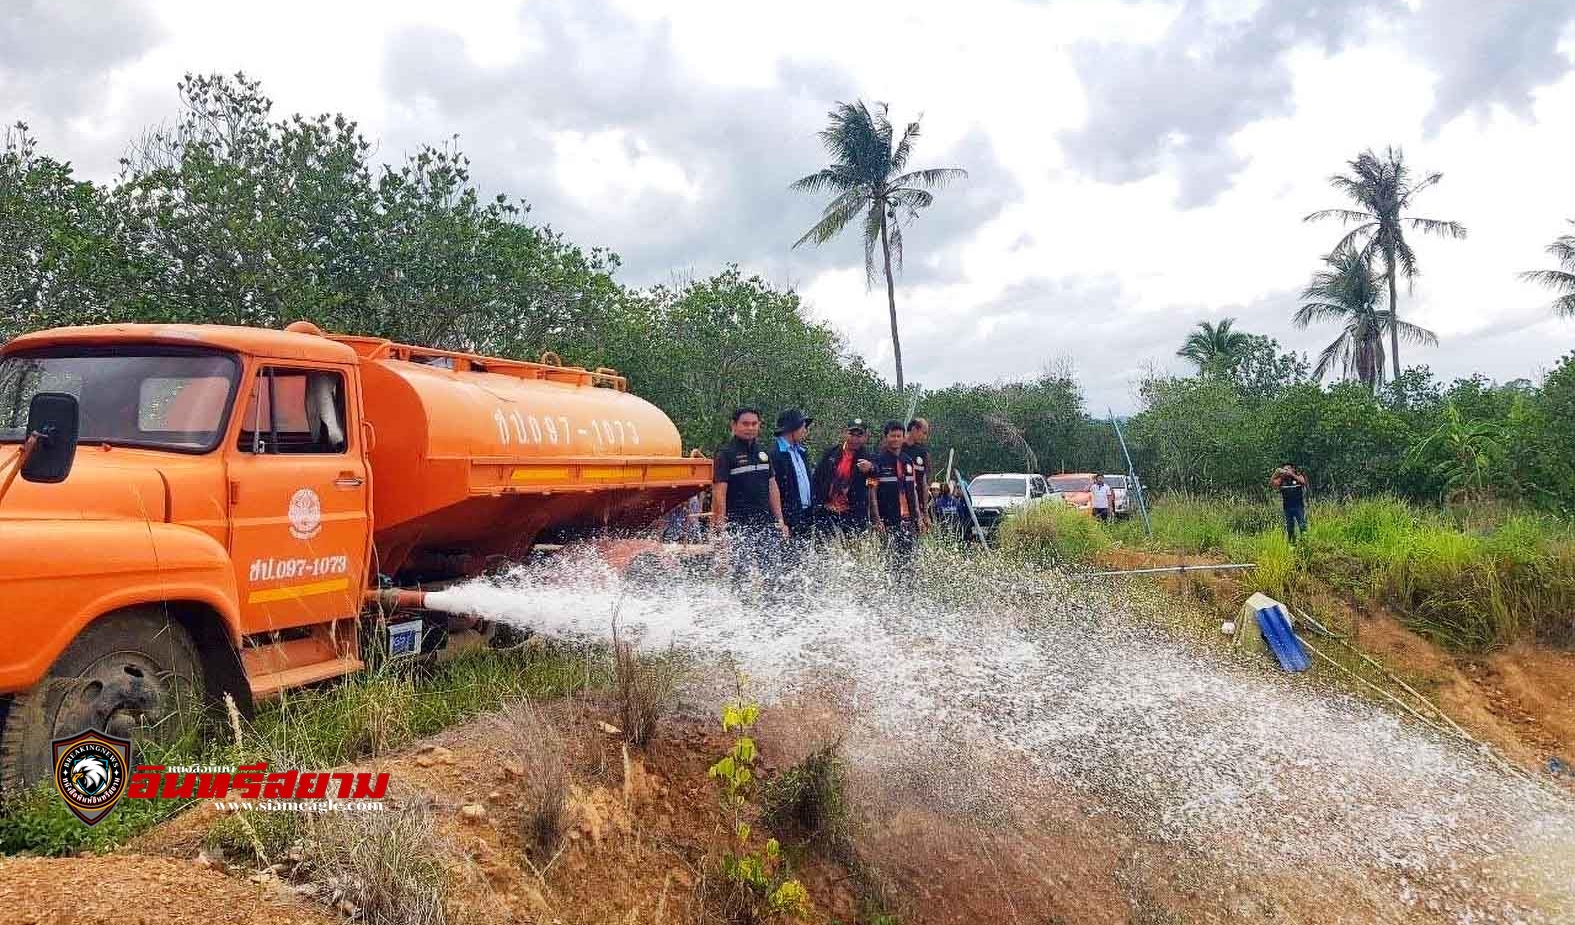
(647, 828)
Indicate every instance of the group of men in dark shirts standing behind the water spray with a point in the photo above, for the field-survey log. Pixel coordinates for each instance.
(771, 505)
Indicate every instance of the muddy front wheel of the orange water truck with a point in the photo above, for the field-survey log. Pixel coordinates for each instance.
(133, 675)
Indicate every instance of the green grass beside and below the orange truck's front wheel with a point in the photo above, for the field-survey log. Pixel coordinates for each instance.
(319, 729)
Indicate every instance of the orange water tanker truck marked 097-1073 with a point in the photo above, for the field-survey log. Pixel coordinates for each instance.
(199, 510)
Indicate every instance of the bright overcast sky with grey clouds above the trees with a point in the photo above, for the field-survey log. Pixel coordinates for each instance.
(1135, 168)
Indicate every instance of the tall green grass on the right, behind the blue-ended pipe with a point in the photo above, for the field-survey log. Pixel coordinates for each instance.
(1472, 579)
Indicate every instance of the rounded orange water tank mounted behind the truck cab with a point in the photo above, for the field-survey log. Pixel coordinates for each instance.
(476, 456)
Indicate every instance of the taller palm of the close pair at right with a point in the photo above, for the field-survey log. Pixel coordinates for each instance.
(1385, 190)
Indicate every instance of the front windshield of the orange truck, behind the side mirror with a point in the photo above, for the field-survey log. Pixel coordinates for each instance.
(130, 396)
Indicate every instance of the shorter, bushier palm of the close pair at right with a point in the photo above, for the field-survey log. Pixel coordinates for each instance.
(1349, 292)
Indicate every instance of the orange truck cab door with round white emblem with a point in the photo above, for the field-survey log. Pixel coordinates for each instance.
(298, 499)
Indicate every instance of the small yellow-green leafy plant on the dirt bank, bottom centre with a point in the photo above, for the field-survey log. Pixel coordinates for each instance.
(762, 891)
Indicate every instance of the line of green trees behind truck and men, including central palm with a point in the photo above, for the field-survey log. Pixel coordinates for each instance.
(232, 215)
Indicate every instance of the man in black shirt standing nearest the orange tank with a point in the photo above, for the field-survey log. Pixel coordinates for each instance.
(746, 508)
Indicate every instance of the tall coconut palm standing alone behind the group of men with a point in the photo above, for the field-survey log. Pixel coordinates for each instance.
(870, 177)
